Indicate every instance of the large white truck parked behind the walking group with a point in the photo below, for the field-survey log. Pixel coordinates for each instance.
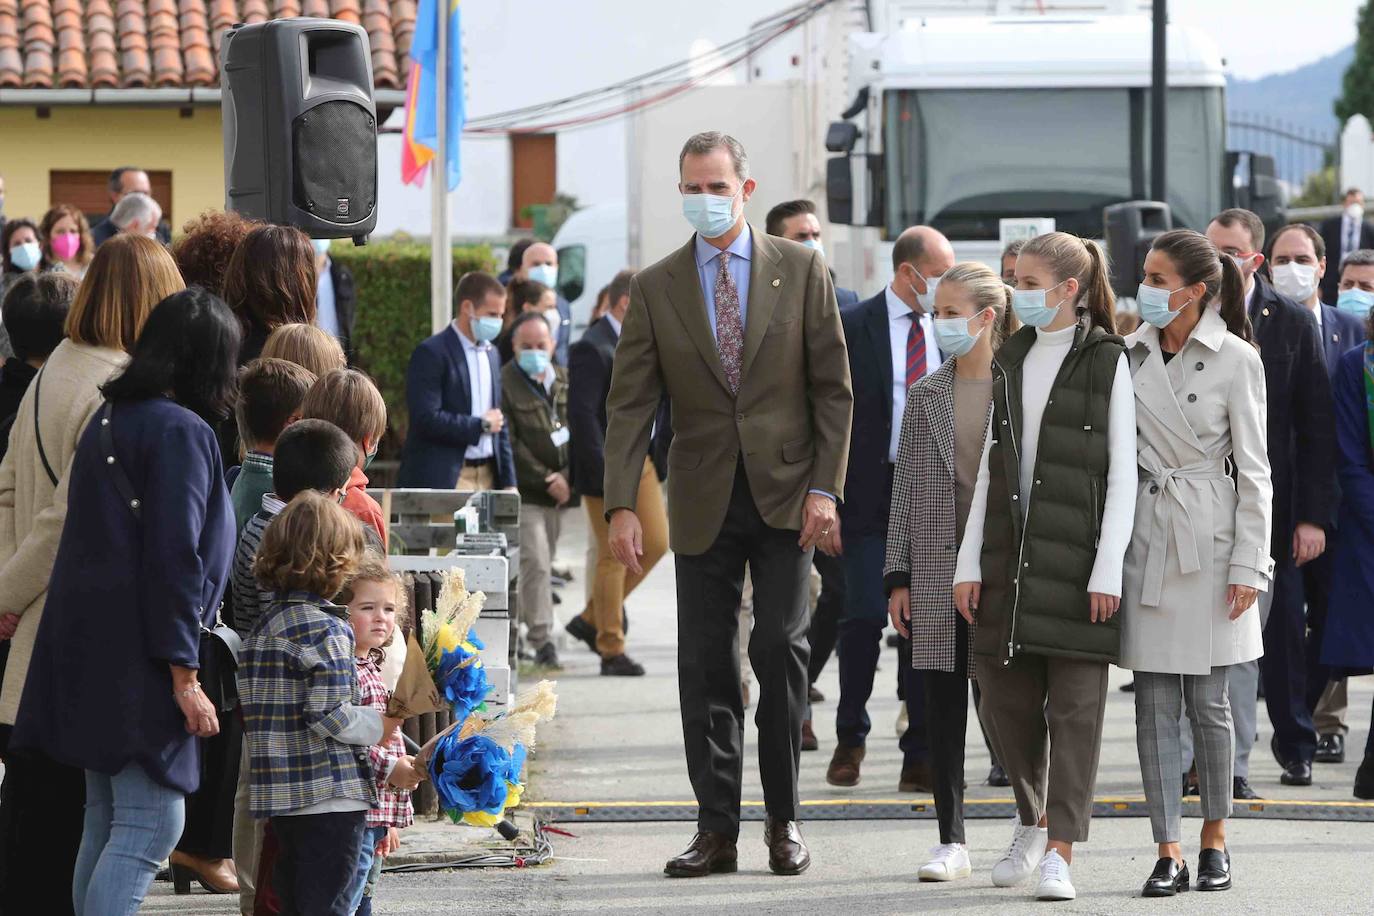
(961, 123)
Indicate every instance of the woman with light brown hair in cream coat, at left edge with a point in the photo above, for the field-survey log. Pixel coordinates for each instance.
(128, 277)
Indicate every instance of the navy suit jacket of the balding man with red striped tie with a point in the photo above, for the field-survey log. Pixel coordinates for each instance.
(865, 510)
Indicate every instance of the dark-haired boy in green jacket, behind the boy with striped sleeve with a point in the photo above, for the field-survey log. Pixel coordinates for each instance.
(270, 400)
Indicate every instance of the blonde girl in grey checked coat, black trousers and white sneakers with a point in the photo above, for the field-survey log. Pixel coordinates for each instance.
(938, 466)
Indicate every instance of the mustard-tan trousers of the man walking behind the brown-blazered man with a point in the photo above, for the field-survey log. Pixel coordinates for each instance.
(612, 582)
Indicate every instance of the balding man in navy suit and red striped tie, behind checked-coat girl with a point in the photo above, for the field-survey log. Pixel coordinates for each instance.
(892, 343)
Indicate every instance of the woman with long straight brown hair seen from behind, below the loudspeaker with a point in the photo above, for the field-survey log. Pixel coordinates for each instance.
(270, 282)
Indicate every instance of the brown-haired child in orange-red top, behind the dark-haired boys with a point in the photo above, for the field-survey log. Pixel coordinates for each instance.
(351, 402)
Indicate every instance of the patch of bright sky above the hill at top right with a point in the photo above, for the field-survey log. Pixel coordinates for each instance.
(1259, 38)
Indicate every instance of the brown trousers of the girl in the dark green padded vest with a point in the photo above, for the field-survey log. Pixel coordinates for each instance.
(1045, 720)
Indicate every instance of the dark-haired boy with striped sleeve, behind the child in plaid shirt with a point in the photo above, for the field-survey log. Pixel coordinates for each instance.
(311, 455)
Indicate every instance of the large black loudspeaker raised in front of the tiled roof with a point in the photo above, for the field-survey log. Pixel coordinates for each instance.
(300, 127)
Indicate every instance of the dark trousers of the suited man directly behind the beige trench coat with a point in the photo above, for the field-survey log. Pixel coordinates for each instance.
(1284, 671)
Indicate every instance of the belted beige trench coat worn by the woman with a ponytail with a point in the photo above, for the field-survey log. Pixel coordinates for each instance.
(1196, 531)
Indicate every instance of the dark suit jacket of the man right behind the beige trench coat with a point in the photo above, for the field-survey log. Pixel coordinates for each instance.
(1302, 428)
